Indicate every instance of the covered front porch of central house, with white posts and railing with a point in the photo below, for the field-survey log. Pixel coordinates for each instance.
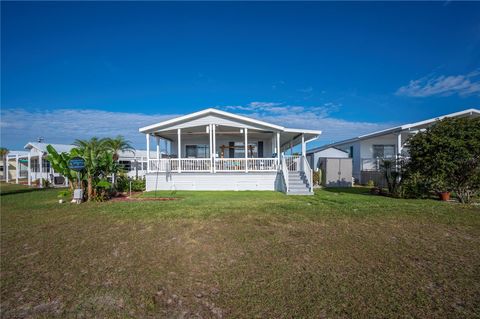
(221, 149)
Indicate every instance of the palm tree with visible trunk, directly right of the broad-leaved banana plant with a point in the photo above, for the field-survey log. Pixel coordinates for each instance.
(92, 152)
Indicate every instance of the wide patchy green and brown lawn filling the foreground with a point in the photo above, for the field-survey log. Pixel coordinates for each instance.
(340, 254)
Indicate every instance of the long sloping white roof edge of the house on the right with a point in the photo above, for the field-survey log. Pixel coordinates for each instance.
(400, 128)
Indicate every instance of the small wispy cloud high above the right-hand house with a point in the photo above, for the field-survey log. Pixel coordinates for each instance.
(463, 85)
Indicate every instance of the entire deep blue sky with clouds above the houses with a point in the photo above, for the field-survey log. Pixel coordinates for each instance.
(73, 70)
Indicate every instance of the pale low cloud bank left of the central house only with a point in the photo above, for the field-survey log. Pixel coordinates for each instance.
(18, 126)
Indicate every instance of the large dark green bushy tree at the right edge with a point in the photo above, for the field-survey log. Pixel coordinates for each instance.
(447, 155)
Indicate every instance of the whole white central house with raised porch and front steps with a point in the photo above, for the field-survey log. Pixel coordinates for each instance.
(217, 150)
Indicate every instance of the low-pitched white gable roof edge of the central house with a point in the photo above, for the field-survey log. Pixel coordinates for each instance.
(211, 111)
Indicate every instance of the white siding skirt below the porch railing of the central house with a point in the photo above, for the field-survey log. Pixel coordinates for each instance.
(215, 182)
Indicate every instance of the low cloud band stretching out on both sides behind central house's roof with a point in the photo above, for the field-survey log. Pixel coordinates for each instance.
(18, 126)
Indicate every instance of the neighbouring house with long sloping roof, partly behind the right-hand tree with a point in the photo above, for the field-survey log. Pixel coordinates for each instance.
(368, 150)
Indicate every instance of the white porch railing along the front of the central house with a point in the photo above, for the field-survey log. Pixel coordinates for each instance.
(221, 165)
